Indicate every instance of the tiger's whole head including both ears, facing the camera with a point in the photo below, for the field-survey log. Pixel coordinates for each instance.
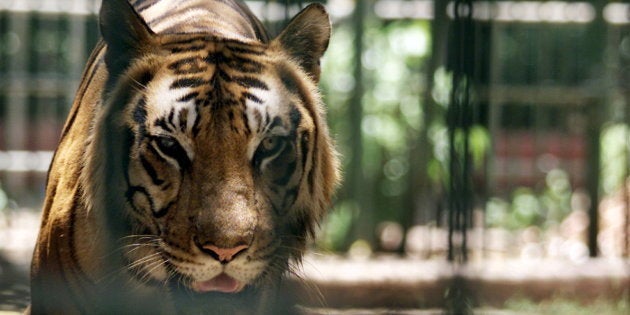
(216, 149)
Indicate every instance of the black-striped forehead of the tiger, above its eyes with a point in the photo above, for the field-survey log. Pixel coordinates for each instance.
(207, 82)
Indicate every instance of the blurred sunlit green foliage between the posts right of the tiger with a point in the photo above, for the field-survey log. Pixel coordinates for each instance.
(394, 115)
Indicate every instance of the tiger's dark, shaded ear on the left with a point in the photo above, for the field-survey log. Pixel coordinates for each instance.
(124, 31)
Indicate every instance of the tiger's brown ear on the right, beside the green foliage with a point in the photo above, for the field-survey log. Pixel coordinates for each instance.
(306, 38)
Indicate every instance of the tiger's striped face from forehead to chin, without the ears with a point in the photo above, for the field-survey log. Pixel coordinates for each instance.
(219, 156)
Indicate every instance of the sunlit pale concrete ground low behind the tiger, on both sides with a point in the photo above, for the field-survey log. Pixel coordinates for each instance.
(385, 284)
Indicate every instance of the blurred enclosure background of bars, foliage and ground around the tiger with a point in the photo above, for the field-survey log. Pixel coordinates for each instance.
(485, 146)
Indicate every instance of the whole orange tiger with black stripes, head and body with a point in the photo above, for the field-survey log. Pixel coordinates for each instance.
(194, 167)
